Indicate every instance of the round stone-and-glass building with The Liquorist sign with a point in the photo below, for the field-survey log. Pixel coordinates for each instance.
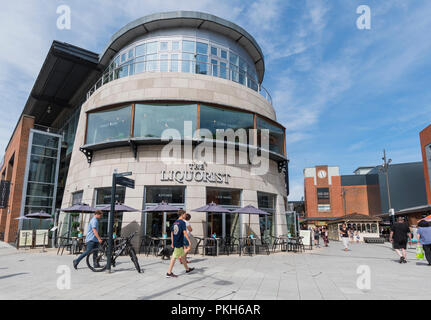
(172, 81)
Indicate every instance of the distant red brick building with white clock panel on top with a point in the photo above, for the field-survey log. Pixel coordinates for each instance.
(329, 195)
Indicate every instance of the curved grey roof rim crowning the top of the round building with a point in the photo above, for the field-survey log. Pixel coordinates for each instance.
(191, 19)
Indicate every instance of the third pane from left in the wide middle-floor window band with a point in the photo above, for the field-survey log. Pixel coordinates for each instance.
(213, 118)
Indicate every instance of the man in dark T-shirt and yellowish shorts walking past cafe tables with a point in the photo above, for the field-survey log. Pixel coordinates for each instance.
(178, 233)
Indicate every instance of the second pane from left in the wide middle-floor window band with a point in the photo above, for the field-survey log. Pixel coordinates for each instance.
(152, 120)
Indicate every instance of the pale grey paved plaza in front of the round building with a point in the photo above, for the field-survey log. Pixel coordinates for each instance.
(325, 273)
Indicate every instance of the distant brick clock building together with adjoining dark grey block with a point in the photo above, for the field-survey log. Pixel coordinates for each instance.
(329, 195)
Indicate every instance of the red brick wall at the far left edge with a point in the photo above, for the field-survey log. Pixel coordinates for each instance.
(13, 170)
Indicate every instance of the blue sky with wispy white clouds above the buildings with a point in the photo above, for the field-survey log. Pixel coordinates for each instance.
(343, 94)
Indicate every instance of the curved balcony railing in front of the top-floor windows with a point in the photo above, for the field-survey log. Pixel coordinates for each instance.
(185, 66)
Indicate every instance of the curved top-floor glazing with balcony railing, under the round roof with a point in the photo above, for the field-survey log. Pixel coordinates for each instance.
(193, 54)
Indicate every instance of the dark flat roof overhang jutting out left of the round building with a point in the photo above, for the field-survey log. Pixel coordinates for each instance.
(65, 74)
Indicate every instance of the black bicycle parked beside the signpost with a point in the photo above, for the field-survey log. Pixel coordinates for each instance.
(97, 258)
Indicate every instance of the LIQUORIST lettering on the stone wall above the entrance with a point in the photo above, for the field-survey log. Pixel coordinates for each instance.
(194, 172)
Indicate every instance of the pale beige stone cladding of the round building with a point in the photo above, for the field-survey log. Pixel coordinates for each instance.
(148, 165)
